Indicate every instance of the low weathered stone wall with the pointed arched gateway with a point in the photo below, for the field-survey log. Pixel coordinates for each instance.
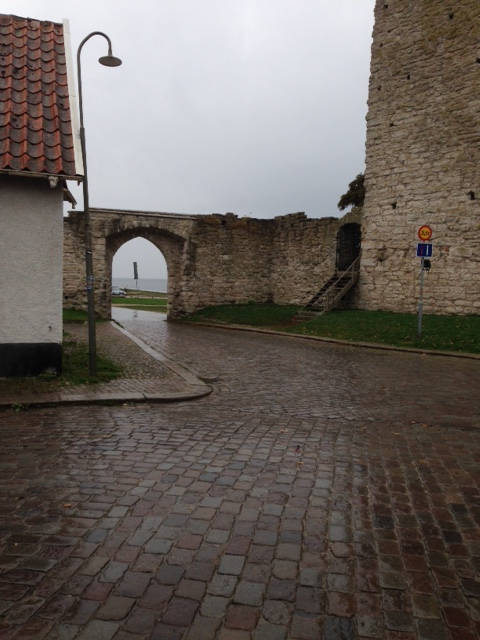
(211, 259)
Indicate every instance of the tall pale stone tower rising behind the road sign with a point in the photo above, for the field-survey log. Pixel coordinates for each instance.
(423, 156)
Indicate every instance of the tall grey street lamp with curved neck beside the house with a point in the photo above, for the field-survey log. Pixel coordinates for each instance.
(108, 61)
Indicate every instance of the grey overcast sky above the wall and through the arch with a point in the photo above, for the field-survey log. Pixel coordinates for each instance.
(251, 106)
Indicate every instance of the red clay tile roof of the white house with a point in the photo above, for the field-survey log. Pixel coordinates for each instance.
(35, 121)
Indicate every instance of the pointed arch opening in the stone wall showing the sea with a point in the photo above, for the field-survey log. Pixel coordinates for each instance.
(151, 286)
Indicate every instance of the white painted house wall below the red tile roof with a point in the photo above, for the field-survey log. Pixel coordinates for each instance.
(31, 249)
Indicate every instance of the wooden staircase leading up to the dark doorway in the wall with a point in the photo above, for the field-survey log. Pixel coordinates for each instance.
(331, 293)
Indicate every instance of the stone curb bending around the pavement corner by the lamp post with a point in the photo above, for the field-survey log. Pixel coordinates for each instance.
(197, 388)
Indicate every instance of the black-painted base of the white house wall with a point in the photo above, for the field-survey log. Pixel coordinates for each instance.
(29, 359)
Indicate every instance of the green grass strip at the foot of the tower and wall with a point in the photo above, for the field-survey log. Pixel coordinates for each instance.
(445, 333)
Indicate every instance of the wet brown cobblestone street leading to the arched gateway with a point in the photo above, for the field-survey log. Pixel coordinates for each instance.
(320, 492)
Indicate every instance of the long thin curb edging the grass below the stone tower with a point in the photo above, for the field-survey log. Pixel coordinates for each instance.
(348, 343)
